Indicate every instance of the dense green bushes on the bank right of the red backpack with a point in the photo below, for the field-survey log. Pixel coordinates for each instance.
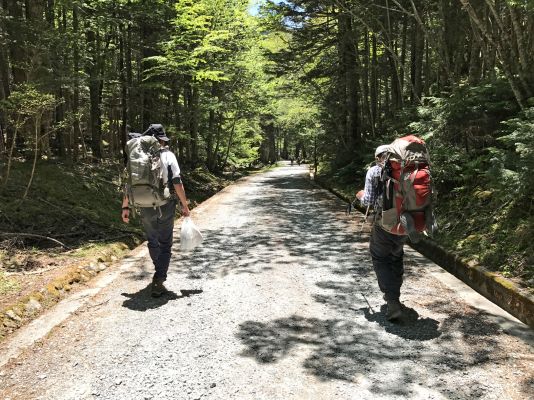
(482, 161)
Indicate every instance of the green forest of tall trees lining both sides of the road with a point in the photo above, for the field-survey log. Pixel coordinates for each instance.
(239, 84)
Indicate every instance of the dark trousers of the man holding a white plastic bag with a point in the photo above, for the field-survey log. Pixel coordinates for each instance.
(158, 224)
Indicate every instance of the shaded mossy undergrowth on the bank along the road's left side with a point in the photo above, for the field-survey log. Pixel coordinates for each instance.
(79, 206)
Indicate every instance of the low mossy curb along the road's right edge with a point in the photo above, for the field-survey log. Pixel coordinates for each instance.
(501, 291)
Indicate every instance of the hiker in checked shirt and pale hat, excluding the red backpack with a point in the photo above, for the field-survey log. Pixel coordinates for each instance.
(386, 248)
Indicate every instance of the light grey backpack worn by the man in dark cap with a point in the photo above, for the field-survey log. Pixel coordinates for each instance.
(145, 177)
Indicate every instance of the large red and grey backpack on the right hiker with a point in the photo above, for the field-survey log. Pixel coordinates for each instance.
(407, 184)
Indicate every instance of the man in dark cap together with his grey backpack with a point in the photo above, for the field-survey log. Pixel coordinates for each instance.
(154, 186)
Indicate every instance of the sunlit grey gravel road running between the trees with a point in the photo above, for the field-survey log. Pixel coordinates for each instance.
(279, 303)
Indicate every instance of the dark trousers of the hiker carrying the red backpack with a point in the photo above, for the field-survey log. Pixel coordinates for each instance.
(387, 254)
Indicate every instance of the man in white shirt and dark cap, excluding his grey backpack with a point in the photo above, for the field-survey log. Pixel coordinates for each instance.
(158, 221)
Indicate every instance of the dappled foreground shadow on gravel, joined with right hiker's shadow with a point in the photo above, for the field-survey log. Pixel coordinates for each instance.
(391, 358)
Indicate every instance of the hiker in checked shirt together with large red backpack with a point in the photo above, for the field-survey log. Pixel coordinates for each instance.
(399, 189)
